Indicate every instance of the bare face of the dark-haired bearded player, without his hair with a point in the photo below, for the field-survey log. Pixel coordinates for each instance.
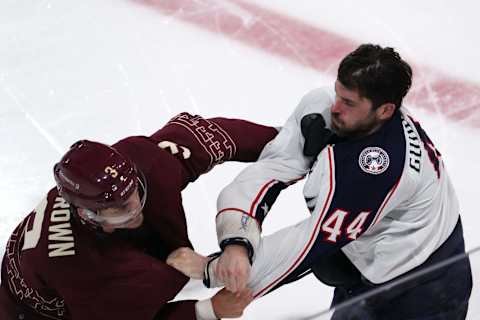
(352, 114)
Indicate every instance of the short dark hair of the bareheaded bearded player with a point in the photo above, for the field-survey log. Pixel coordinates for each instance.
(377, 73)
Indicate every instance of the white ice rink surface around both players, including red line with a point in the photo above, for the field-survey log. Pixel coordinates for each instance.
(107, 69)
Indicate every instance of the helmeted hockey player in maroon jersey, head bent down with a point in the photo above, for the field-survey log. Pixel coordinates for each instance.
(95, 247)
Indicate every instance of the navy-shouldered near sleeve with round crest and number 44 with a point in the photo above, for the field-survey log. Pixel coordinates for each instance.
(355, 187)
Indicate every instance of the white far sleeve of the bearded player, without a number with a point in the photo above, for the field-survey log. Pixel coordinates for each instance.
(244, 203)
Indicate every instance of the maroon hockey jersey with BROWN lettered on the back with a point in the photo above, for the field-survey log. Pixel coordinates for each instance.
(58, 268)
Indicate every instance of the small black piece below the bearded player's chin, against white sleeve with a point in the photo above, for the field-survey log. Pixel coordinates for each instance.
(316, 135)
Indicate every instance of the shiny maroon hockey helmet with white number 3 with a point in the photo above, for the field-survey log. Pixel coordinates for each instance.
(95, 176)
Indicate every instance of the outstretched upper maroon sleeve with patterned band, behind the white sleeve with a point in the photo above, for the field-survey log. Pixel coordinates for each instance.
(201, 143)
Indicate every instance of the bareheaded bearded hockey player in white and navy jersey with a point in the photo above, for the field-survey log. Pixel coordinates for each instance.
(381, 202)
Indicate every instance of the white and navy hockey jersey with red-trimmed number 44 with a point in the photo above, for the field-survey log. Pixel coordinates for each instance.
(385, 200)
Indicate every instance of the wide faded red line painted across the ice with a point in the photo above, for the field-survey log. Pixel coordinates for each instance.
(318, 49)
